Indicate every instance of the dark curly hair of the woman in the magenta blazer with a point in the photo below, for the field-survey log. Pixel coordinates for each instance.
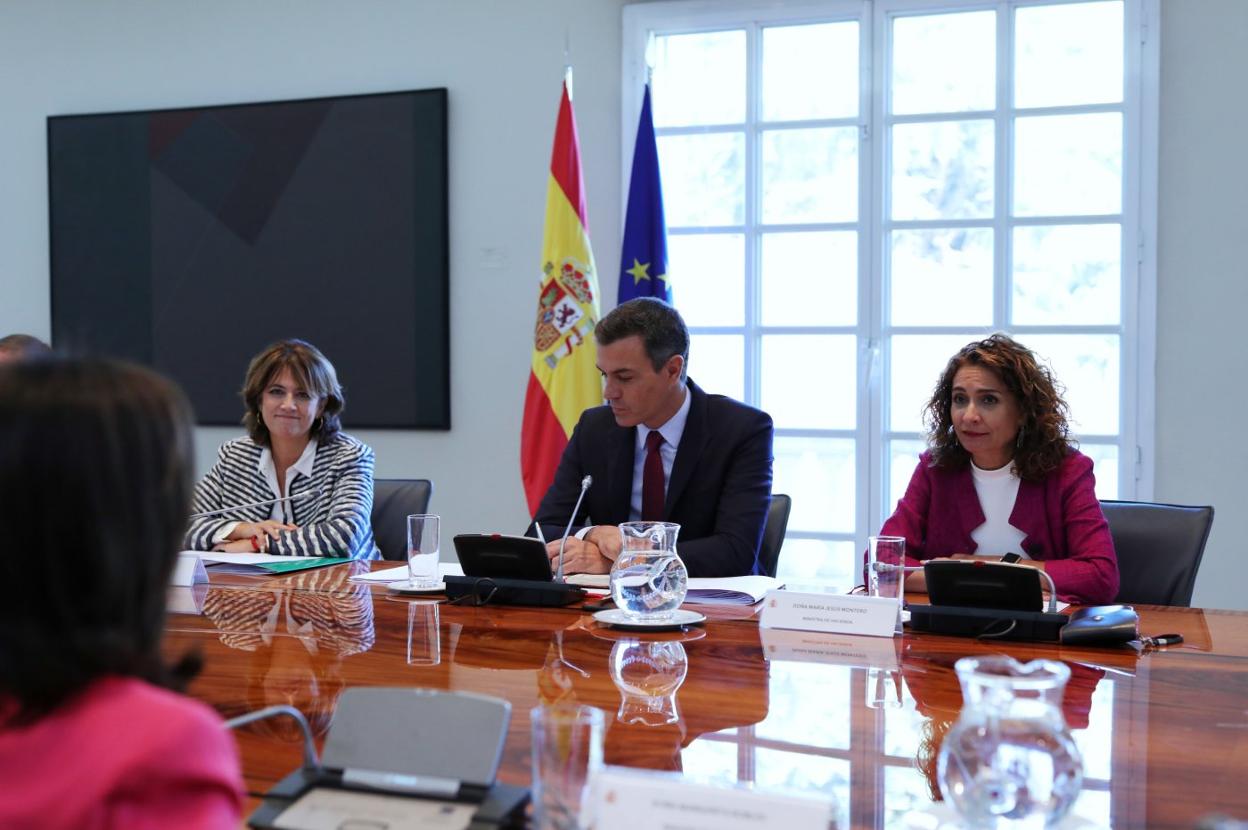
(1044, 439)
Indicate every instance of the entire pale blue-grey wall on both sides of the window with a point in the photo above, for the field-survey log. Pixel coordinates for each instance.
(502, 63)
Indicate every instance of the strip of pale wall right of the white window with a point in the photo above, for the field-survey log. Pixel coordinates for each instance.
(1202, 293)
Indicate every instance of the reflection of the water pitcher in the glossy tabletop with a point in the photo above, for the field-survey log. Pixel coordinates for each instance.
(648, 673)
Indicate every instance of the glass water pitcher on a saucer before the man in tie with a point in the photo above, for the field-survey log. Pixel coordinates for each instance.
(648, 580)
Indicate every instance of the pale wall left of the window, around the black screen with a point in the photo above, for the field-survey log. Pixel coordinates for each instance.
(502, 63)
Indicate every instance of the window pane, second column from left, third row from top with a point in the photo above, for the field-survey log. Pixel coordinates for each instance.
(811, 279)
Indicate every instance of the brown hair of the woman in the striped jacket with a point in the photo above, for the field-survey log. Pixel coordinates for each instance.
(311, 370)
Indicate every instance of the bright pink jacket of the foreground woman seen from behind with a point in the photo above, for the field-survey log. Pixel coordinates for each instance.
(122, 756)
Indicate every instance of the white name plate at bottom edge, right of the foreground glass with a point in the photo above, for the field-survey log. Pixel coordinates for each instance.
(631, 799)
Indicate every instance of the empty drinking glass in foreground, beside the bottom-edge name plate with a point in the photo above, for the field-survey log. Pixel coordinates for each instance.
(567, 751)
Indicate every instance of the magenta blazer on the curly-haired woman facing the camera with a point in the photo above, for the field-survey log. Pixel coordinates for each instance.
(1061, 517)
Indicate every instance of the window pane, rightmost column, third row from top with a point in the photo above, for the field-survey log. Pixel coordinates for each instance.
(1068, 274)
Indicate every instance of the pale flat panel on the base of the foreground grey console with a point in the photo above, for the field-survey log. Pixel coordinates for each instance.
(325, 809)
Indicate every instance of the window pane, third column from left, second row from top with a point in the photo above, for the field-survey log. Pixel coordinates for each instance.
(942, 170)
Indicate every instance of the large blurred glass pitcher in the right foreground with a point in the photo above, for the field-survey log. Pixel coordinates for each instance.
(1010, 761)
